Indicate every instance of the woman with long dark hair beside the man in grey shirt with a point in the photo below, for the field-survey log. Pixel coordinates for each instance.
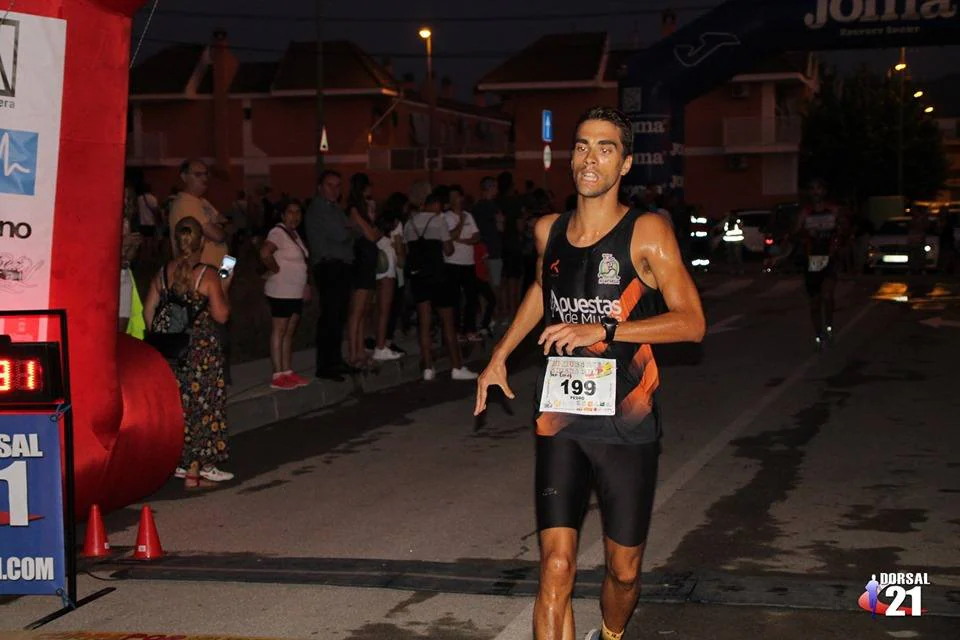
(362, 211)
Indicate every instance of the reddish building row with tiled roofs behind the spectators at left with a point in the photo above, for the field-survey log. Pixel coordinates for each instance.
(256, 121)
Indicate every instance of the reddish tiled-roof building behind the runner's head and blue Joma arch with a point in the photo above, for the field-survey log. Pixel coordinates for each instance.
(742, 138)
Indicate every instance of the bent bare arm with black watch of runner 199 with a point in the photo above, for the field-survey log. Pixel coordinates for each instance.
(657, 258)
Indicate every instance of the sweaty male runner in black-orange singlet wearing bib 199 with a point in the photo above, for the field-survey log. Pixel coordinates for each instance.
(610, 282)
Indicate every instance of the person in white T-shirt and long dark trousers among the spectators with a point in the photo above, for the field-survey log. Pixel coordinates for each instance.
(461, 264)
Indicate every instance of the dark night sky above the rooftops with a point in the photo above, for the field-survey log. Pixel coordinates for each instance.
(464, 49)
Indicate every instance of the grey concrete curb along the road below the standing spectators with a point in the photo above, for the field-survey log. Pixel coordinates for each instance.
(264, 406)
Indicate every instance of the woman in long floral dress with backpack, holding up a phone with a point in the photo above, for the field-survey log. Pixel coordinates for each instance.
(187, 283)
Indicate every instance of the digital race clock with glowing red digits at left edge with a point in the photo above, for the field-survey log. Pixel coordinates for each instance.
(30, 373)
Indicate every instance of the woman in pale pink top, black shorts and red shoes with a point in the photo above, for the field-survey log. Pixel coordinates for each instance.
(285, 255)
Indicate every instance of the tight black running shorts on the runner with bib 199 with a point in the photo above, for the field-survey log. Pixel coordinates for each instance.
(624, 476)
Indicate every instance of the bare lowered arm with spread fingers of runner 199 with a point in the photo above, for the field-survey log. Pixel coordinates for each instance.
(528, 316)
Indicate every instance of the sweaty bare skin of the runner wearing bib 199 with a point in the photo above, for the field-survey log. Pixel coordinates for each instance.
(598, 162)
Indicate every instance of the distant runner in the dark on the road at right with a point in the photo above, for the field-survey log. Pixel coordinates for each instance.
(818, 230)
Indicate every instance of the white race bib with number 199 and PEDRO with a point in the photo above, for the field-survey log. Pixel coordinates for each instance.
(584, 386)
